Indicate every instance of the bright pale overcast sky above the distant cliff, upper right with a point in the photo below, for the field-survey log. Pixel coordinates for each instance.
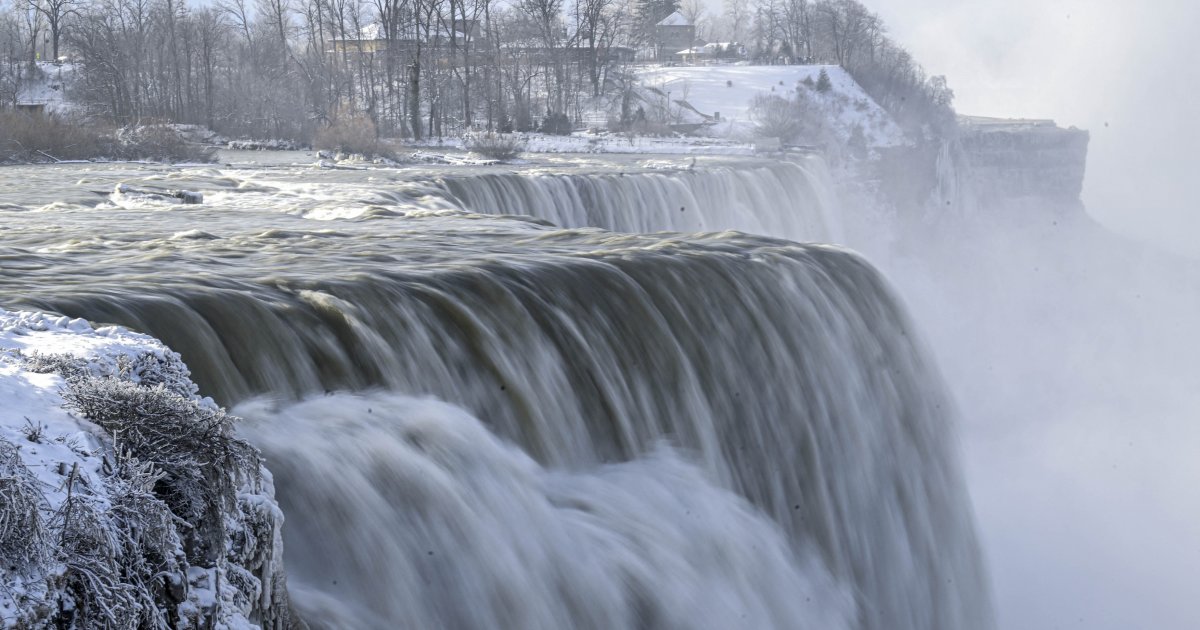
(1129, 73)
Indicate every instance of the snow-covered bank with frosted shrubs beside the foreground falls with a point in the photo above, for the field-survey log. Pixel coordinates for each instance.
(125, 500)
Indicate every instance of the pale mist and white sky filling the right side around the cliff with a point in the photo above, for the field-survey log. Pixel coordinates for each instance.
(1071, 351)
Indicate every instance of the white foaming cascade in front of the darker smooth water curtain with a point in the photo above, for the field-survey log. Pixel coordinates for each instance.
(469, 532)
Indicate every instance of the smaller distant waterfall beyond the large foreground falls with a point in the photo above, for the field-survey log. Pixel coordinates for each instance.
(791, 200)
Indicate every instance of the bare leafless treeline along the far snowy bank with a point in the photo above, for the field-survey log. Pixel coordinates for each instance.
(413, 69)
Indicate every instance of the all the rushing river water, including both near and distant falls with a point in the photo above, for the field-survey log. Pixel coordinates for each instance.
(682, 431)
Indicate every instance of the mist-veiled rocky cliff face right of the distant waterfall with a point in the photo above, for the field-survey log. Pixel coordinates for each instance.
(991, 171)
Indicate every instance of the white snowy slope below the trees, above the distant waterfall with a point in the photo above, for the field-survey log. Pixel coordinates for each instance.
(700, 93)
